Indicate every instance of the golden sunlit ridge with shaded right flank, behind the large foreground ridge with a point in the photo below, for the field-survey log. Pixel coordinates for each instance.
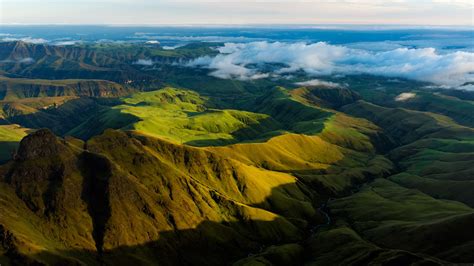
(330, 161)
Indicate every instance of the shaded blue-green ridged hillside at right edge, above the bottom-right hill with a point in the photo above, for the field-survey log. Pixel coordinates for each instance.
(435, 155)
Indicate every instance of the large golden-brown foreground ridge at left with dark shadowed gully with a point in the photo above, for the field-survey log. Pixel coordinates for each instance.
(134, 198)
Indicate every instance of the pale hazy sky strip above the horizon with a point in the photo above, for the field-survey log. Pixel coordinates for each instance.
(226, 12)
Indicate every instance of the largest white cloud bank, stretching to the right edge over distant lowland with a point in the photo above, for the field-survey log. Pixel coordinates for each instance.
(247, 60)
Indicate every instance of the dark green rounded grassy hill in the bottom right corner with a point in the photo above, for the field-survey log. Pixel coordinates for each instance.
(422, 224)
